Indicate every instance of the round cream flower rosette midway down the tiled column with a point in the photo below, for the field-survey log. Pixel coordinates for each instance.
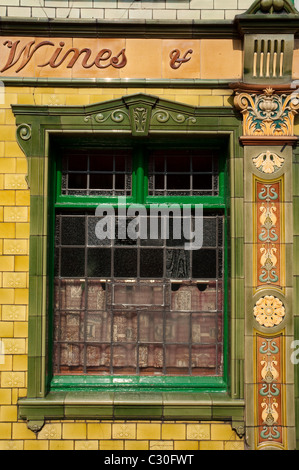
(269, 311)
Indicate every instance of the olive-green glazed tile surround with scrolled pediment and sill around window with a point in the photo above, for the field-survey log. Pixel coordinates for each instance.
(37, 129)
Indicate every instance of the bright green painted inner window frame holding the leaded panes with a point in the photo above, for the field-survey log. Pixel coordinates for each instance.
(140, 196)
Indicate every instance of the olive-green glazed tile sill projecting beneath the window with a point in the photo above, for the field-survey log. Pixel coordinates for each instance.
(130, 405)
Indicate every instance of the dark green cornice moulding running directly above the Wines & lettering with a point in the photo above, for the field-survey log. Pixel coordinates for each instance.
(93, 28)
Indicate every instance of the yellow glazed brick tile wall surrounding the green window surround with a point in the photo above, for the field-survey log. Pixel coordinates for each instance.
(14, 261)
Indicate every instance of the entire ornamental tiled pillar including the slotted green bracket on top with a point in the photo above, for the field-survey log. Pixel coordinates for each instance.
(268, 104)
